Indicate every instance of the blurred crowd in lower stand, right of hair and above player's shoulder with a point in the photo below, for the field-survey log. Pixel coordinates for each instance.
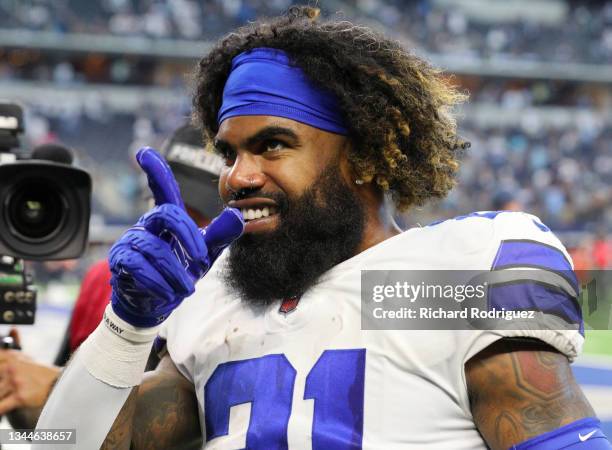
(561, 175)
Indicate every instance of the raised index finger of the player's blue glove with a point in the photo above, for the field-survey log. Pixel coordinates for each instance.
(161, 180)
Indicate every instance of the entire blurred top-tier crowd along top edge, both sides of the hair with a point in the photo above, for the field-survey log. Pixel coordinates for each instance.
(573, 31)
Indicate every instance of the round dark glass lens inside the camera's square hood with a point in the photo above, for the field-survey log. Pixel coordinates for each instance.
(36, 210)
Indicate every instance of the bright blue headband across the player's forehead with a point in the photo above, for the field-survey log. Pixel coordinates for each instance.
(263, 82)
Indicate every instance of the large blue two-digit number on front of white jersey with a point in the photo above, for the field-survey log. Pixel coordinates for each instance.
(335, 383)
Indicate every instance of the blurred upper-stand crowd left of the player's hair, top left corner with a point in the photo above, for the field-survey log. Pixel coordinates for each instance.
(164, 19)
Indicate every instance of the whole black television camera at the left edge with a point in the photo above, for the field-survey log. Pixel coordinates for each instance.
(45, 206)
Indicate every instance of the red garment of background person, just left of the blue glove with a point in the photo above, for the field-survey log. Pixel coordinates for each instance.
(93, 297)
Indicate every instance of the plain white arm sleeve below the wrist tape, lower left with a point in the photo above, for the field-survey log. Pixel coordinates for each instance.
(84, 403)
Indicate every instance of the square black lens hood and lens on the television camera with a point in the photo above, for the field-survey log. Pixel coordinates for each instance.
(44, 210)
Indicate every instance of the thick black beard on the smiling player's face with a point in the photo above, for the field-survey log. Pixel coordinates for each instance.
(316, 231)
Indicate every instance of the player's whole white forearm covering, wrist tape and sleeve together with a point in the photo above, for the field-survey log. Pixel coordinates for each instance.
(96, 384)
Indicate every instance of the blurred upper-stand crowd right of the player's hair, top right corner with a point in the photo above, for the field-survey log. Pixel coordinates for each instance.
(563, 31)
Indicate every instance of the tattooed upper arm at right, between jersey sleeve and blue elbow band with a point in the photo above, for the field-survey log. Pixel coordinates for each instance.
(521, 388)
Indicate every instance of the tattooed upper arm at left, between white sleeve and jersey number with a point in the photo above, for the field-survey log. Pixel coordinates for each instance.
(161, 413)
